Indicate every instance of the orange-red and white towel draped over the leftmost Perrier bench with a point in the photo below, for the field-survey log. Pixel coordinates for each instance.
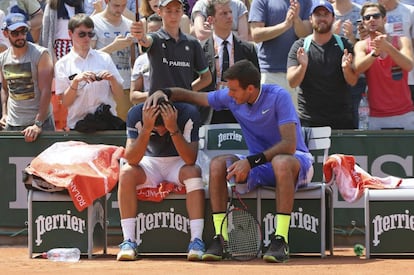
(87, 171)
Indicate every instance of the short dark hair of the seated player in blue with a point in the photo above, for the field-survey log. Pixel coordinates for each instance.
(245, 72)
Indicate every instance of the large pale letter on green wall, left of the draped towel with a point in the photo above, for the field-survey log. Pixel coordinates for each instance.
(21, 192)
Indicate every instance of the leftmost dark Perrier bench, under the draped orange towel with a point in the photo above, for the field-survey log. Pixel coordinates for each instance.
(53, 221)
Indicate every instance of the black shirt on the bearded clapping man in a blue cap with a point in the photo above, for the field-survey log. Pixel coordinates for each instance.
(324, 95)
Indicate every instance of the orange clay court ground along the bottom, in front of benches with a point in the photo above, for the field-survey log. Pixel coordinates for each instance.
(15, 260)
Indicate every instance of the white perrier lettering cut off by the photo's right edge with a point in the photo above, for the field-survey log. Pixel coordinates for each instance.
(383, 224)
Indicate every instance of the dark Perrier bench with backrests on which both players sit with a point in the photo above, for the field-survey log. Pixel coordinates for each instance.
(164, 227)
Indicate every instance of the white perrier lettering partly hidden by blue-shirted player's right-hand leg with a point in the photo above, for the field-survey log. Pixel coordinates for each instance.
(297, 220)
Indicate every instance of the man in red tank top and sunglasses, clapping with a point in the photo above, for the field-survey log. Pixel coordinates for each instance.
(386, 60)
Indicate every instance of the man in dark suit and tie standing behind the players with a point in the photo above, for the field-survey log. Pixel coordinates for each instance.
(220, 17)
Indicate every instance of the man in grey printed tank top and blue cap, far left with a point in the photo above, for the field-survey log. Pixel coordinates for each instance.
(27, 71)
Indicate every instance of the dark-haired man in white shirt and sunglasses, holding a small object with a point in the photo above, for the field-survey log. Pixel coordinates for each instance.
(85, 77)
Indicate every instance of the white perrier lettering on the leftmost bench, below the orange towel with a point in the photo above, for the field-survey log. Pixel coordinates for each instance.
(66, 221)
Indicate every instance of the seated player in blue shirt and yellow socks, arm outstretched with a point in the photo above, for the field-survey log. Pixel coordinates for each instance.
(278, 155)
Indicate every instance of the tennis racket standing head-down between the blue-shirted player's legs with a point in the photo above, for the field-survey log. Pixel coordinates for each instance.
(244, 232)
